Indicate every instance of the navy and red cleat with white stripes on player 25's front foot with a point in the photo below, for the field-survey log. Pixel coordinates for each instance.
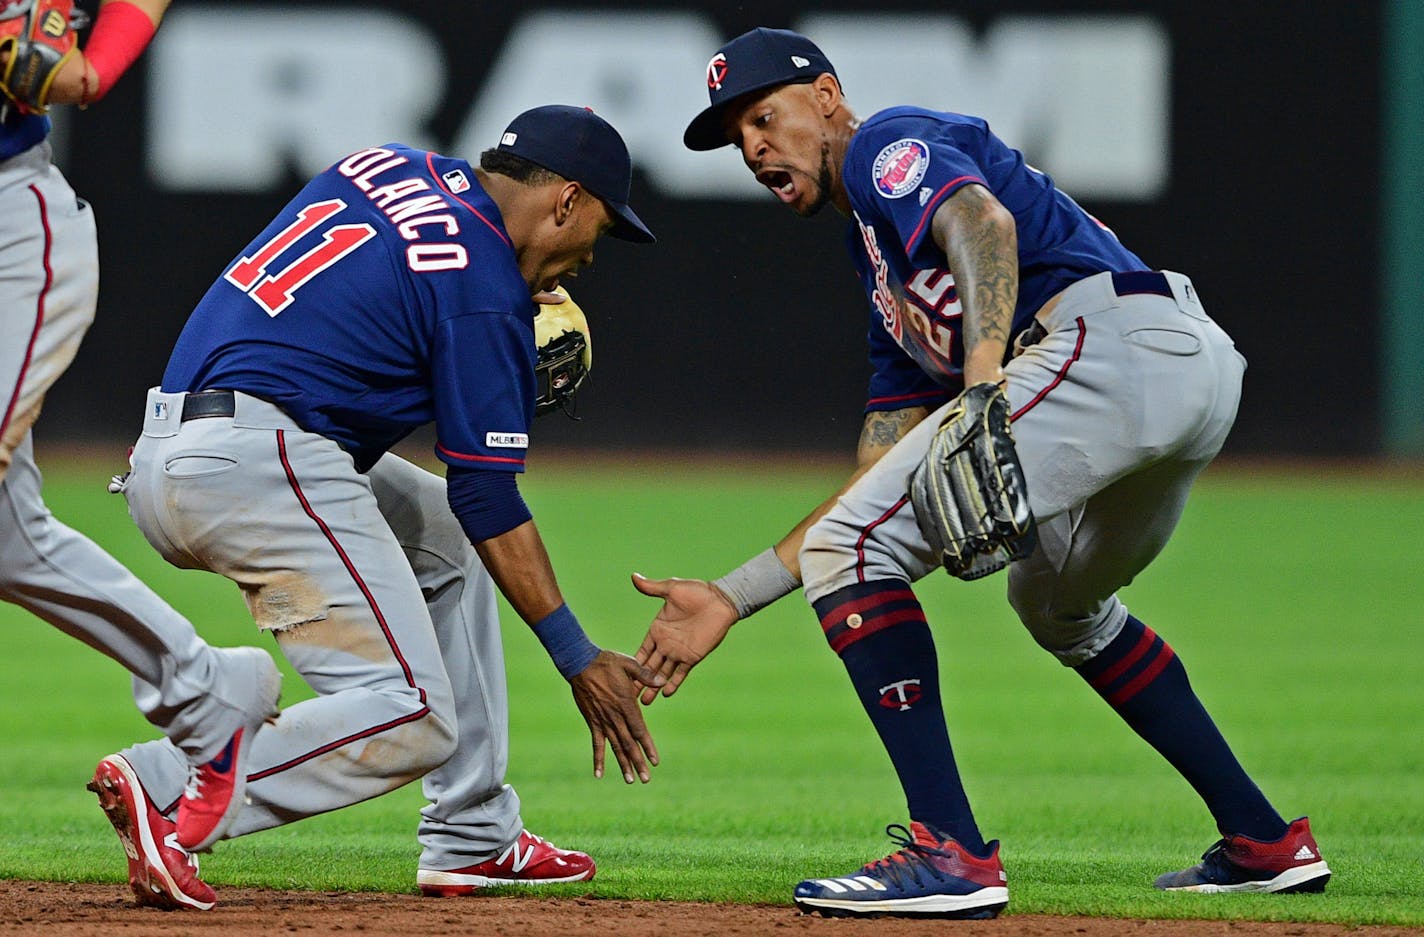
(931, 876)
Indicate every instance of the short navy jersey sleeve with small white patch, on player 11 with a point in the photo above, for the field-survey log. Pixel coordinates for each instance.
(483, 387)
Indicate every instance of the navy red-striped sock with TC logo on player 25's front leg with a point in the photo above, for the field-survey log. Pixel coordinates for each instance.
(881, 634)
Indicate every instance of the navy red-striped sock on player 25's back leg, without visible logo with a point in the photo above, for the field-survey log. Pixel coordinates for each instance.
(1143, 680)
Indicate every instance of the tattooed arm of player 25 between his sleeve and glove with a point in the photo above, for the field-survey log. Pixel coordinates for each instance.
(979, 239)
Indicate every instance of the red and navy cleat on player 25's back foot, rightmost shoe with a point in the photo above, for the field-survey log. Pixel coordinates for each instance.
(1237, 864)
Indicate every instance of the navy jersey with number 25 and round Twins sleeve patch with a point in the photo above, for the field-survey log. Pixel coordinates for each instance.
(901, 167)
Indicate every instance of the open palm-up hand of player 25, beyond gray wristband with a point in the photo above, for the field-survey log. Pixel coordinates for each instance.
(693, 622)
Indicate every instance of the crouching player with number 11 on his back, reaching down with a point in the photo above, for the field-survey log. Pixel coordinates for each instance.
(392, 293)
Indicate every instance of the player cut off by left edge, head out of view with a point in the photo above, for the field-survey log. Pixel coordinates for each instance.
(209, 701)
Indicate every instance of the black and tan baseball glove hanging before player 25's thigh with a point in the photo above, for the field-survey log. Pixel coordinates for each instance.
(969, 493)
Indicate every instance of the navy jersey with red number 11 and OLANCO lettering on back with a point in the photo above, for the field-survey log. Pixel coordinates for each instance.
(385, 297)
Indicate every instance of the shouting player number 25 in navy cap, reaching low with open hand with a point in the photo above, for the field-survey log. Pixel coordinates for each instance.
(982, 274)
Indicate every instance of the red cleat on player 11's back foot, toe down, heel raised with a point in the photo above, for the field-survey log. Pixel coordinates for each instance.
(162, 872)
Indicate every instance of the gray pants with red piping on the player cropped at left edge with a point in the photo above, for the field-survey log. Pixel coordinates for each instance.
(49, 288)
